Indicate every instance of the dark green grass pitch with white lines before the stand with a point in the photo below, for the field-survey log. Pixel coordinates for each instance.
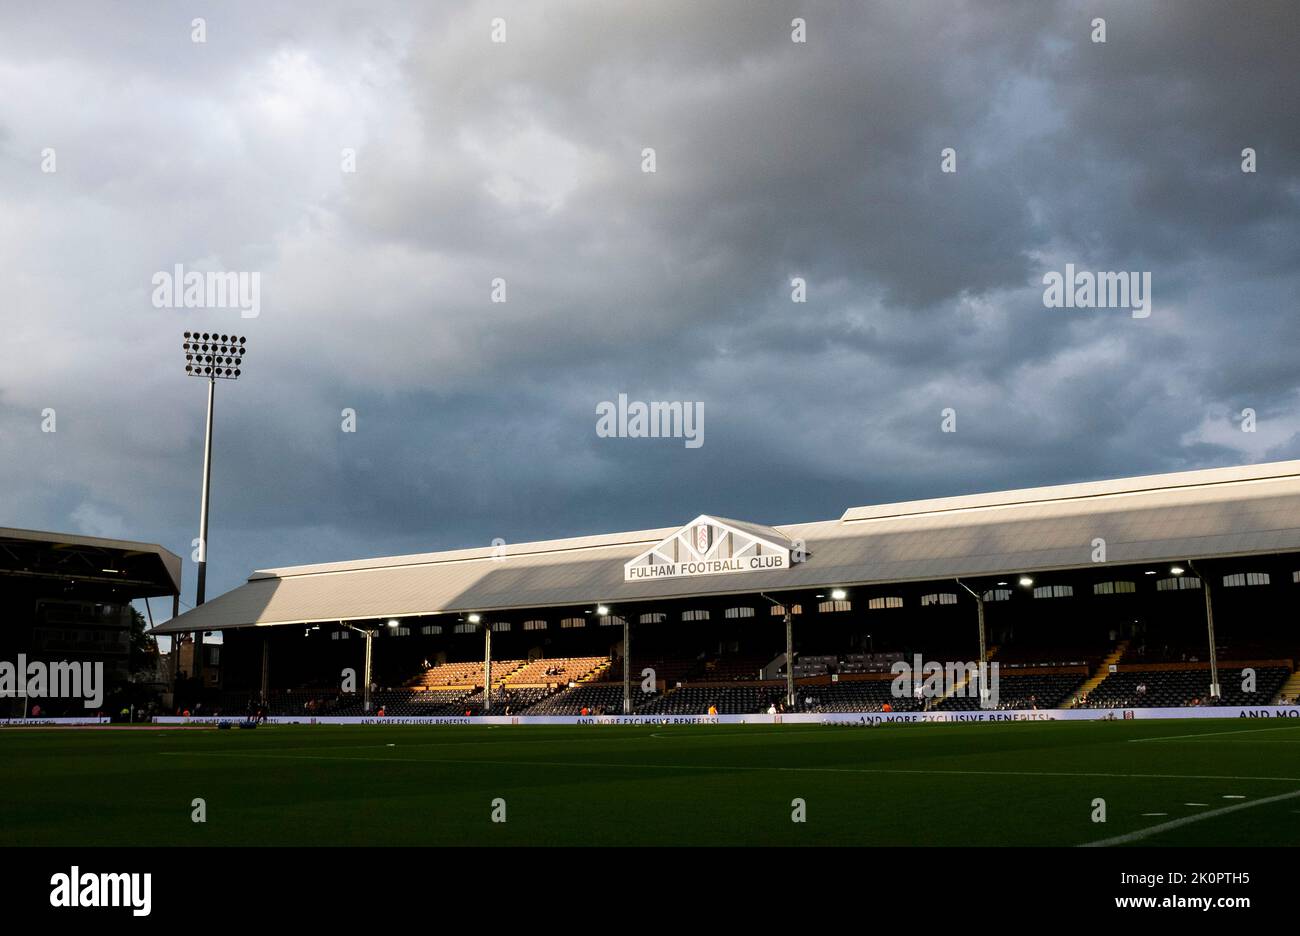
(1164, 783)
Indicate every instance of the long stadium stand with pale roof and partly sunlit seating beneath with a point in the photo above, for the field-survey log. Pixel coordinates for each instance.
(1059, 635)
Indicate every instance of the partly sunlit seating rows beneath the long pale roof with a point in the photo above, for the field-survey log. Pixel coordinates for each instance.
(1034, 674)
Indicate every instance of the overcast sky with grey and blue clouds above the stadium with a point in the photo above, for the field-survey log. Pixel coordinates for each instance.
(523, 161)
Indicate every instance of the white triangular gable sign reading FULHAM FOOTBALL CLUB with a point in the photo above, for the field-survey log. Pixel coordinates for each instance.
(712, 547)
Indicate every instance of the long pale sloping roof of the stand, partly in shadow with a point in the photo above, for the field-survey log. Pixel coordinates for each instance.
(1241, 512)
